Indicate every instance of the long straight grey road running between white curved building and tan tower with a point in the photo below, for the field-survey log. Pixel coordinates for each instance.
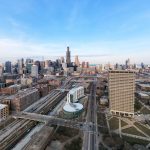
(90, 141)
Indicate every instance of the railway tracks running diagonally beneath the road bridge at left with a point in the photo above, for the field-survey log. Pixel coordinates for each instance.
(12, 133)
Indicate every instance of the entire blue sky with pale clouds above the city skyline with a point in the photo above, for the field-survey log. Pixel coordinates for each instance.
(117, 29)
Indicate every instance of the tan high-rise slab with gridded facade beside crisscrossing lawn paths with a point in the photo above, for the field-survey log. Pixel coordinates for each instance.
(121, 92)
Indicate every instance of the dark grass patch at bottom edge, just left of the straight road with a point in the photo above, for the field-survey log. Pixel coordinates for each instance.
(74, 145)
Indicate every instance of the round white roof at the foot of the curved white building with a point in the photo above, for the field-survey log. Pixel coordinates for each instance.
(73, 107)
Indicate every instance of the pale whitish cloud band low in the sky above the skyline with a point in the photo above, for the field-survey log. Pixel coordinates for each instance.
(112, 51)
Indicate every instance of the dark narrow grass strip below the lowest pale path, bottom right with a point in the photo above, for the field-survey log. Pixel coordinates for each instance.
(133, 141)
